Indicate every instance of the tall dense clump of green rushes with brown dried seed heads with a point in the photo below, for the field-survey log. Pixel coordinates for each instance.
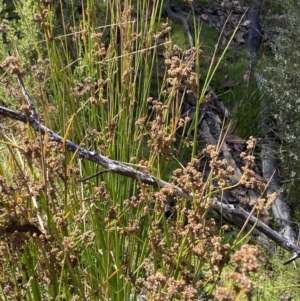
(91, 68)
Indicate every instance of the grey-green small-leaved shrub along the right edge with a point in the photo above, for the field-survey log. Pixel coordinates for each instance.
(282, 87)
